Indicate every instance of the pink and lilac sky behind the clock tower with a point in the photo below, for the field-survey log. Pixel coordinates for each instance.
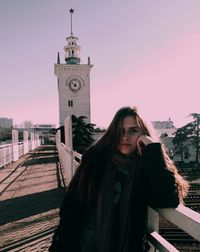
(145, 53)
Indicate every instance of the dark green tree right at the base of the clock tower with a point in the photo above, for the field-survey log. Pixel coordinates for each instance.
(82, 133)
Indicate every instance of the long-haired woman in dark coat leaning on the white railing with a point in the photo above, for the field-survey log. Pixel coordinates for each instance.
(105, 208)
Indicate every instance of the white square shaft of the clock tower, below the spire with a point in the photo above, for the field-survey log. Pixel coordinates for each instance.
(73, 101)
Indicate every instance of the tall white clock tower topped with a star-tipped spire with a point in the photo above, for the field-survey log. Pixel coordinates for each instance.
(73, 81)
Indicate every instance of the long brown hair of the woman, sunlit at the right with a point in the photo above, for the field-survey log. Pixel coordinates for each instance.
(100, 153)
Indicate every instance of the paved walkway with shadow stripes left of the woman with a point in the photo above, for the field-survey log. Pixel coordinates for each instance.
(30, 197)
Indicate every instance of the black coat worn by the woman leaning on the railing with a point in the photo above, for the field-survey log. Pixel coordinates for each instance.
(154, 186)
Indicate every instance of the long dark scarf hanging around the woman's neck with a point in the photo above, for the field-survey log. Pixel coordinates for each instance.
(123, 229)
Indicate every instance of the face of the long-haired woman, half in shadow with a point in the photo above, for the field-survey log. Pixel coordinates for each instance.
(130, 133)
